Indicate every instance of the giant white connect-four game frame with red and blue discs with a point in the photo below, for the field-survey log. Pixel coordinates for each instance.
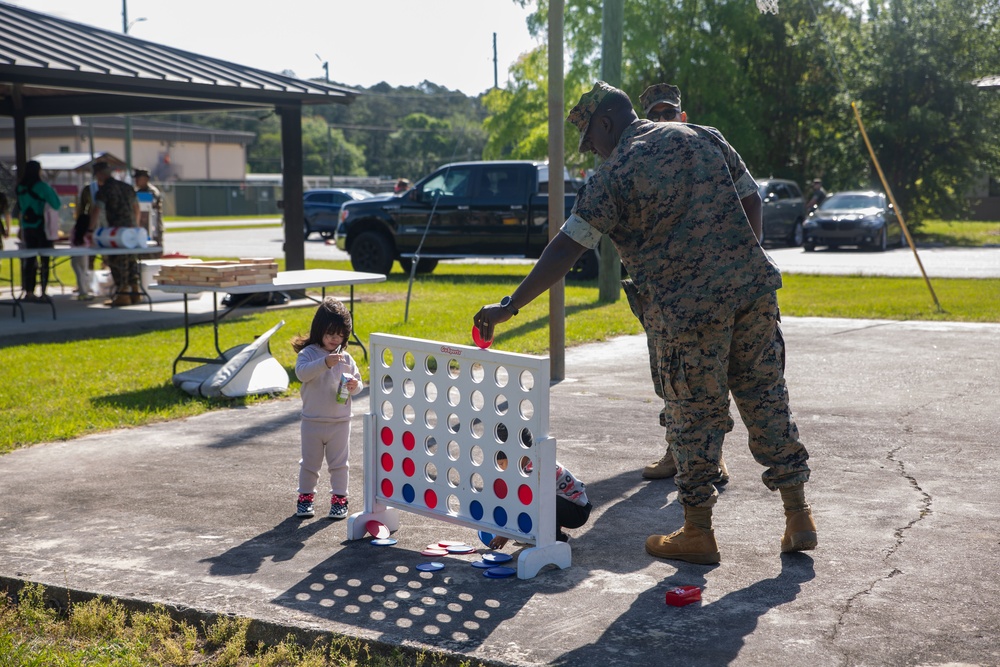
(446, 411)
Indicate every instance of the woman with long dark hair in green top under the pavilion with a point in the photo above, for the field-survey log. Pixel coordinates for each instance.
(32, 195)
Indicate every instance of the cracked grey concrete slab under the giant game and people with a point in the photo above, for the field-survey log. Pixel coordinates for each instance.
(900, 419)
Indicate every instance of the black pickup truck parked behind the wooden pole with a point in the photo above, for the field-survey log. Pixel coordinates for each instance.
(466, 209)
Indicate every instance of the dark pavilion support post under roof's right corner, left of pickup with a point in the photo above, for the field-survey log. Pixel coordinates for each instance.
(291, 184)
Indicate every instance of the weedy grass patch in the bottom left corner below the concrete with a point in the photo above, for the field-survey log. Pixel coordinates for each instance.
(53, 625)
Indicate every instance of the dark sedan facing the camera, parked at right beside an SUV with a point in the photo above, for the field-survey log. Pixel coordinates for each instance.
(862, 218)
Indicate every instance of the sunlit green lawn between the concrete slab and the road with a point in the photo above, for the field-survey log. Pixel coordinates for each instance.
(95, 385)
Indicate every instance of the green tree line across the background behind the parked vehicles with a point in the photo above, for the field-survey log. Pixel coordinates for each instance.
(779, 87)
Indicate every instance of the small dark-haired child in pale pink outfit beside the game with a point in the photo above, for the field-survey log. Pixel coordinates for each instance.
(329, 379)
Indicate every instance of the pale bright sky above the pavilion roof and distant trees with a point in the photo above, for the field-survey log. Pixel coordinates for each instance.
(447, 42)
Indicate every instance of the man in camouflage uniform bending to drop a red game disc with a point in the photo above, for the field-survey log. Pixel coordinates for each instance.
(669, 197)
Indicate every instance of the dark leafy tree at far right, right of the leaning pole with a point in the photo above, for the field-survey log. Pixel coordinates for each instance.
(933, 132)
